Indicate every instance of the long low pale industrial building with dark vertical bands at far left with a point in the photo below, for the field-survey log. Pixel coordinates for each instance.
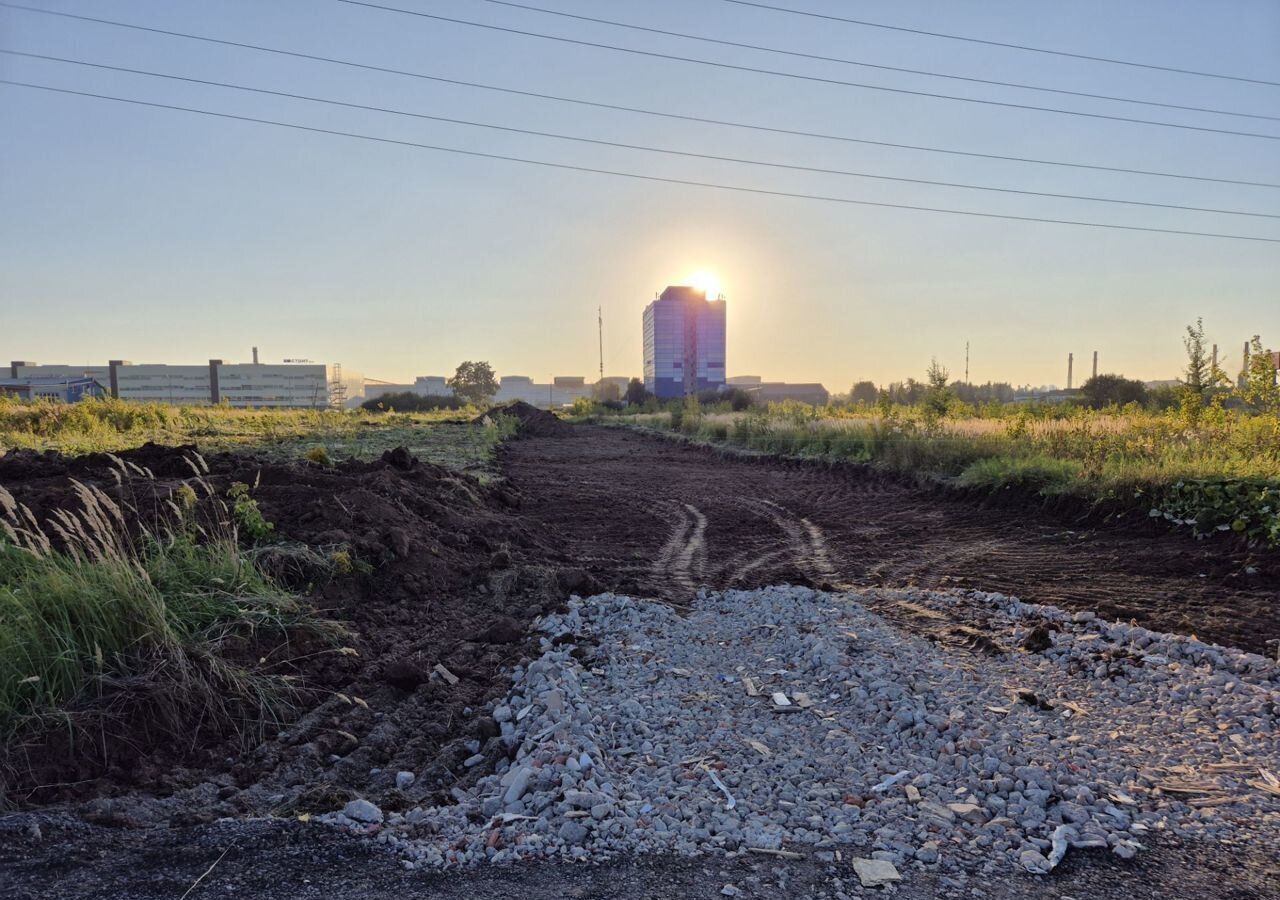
(248, 385)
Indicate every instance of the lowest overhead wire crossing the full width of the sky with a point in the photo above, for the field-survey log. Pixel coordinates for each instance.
(636, 176)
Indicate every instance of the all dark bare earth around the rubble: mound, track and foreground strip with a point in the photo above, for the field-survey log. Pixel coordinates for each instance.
(455, 573)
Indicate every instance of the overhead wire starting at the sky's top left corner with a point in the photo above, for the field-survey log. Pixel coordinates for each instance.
(638, 111)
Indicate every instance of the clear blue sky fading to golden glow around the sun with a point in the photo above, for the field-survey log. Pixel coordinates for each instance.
(161, 236)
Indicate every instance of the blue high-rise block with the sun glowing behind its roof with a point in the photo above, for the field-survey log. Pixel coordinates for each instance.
(684, 344)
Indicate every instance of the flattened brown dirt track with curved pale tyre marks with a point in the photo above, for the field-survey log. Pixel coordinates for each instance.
(662, 519)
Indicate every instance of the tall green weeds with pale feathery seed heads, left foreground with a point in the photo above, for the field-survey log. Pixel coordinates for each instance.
(135, 634)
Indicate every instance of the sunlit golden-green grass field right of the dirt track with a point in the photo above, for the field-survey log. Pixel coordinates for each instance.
(1219, 474)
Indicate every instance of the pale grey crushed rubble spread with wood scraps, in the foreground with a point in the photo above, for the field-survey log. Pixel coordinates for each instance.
(644, 730)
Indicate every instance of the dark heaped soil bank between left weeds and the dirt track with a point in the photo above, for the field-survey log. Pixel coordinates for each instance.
(426, 567)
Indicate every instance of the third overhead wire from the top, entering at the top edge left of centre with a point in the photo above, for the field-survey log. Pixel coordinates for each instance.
(797, 76)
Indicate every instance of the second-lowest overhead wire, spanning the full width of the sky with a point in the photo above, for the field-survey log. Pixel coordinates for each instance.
(630, 147)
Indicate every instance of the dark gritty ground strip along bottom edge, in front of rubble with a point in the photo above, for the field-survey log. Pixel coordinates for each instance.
(273, 861)
